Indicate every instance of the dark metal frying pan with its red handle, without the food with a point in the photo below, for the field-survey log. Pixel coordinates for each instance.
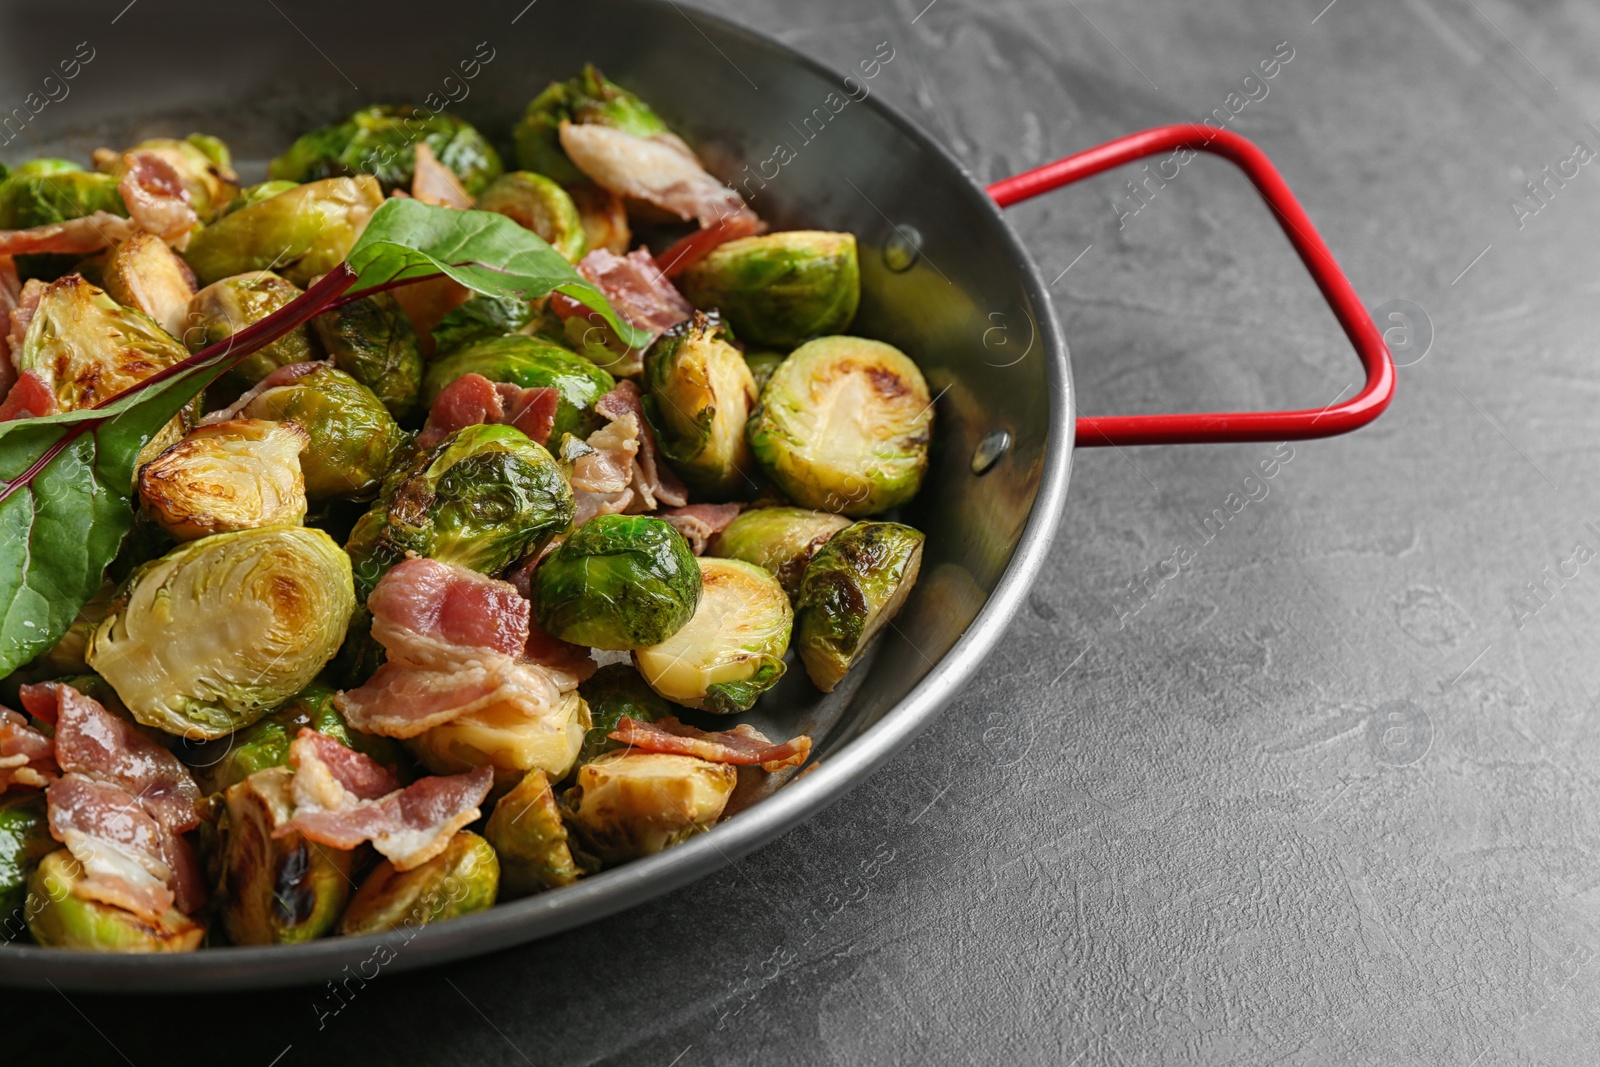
(940, 266)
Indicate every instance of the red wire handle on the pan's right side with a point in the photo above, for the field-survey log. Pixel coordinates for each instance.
(1231, 426)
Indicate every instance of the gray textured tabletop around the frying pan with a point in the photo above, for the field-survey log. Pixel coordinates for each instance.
(1326, 797)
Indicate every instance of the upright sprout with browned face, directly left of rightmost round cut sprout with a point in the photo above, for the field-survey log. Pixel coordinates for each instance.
(698, 396)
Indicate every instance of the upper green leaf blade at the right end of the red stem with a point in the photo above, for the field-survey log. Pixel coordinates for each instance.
(484, 252)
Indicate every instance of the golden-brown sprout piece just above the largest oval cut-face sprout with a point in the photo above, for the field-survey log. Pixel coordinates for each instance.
(228, 476)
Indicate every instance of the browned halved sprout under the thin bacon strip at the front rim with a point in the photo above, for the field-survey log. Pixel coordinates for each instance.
(638, 804)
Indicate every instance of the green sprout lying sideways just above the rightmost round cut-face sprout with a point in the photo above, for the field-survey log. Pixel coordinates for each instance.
(780, 289)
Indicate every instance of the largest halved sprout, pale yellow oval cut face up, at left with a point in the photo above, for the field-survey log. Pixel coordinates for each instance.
(218, 631)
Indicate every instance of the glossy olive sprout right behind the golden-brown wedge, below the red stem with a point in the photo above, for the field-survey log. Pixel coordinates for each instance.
(353, 438)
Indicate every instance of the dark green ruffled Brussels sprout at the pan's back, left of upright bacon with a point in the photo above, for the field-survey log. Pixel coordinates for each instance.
(383, 142)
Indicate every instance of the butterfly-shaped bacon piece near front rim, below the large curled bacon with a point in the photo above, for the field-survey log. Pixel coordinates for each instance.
(335, 804)
